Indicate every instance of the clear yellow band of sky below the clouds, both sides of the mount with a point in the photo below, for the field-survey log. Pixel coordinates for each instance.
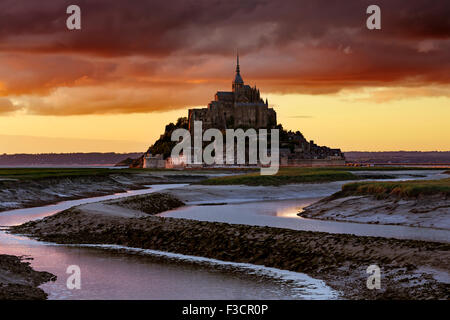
(370, 131)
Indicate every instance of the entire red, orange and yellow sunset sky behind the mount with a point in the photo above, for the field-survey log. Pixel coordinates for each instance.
(137, 65)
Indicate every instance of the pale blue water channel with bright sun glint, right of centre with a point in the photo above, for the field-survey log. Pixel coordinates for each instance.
(283, 214)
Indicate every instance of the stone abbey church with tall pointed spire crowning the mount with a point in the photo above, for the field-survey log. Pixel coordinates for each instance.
(240, 108)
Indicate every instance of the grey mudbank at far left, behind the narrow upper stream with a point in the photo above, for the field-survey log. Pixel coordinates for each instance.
(32, 192)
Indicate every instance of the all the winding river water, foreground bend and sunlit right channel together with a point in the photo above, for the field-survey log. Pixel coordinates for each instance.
(114, 272)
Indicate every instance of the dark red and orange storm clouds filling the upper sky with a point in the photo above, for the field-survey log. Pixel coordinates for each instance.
(286, 46)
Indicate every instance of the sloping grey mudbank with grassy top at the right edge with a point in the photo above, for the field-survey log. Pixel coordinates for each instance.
(416, 203)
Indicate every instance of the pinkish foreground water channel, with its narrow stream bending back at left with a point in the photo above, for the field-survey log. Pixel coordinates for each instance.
(119, 274)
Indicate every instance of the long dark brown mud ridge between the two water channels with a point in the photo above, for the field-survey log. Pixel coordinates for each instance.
(410, 269)
